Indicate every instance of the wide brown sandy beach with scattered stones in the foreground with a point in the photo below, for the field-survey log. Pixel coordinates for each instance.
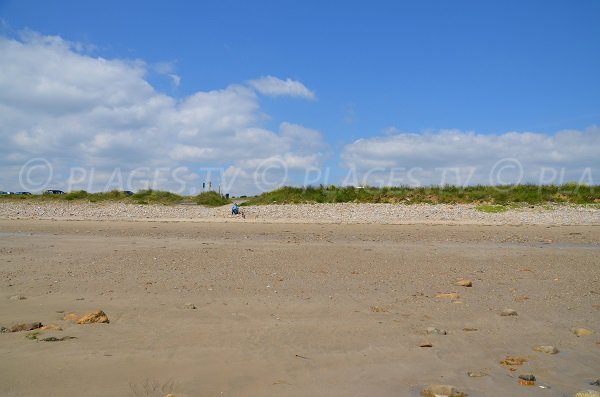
(296, 310)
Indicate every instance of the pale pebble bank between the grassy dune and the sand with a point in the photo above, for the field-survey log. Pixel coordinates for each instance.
(307, 213)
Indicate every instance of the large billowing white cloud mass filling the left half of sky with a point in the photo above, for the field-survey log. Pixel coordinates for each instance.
(92, 123)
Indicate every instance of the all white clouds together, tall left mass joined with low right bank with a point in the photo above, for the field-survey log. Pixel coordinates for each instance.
(99, 124)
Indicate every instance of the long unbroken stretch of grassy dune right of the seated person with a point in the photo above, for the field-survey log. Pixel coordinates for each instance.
(493, 195)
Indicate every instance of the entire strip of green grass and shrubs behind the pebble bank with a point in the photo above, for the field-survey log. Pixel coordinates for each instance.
(489, 198)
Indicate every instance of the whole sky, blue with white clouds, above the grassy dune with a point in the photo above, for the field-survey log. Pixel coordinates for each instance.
(255, 95)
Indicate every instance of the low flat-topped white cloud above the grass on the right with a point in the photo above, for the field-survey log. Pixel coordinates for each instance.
(465, 158)
